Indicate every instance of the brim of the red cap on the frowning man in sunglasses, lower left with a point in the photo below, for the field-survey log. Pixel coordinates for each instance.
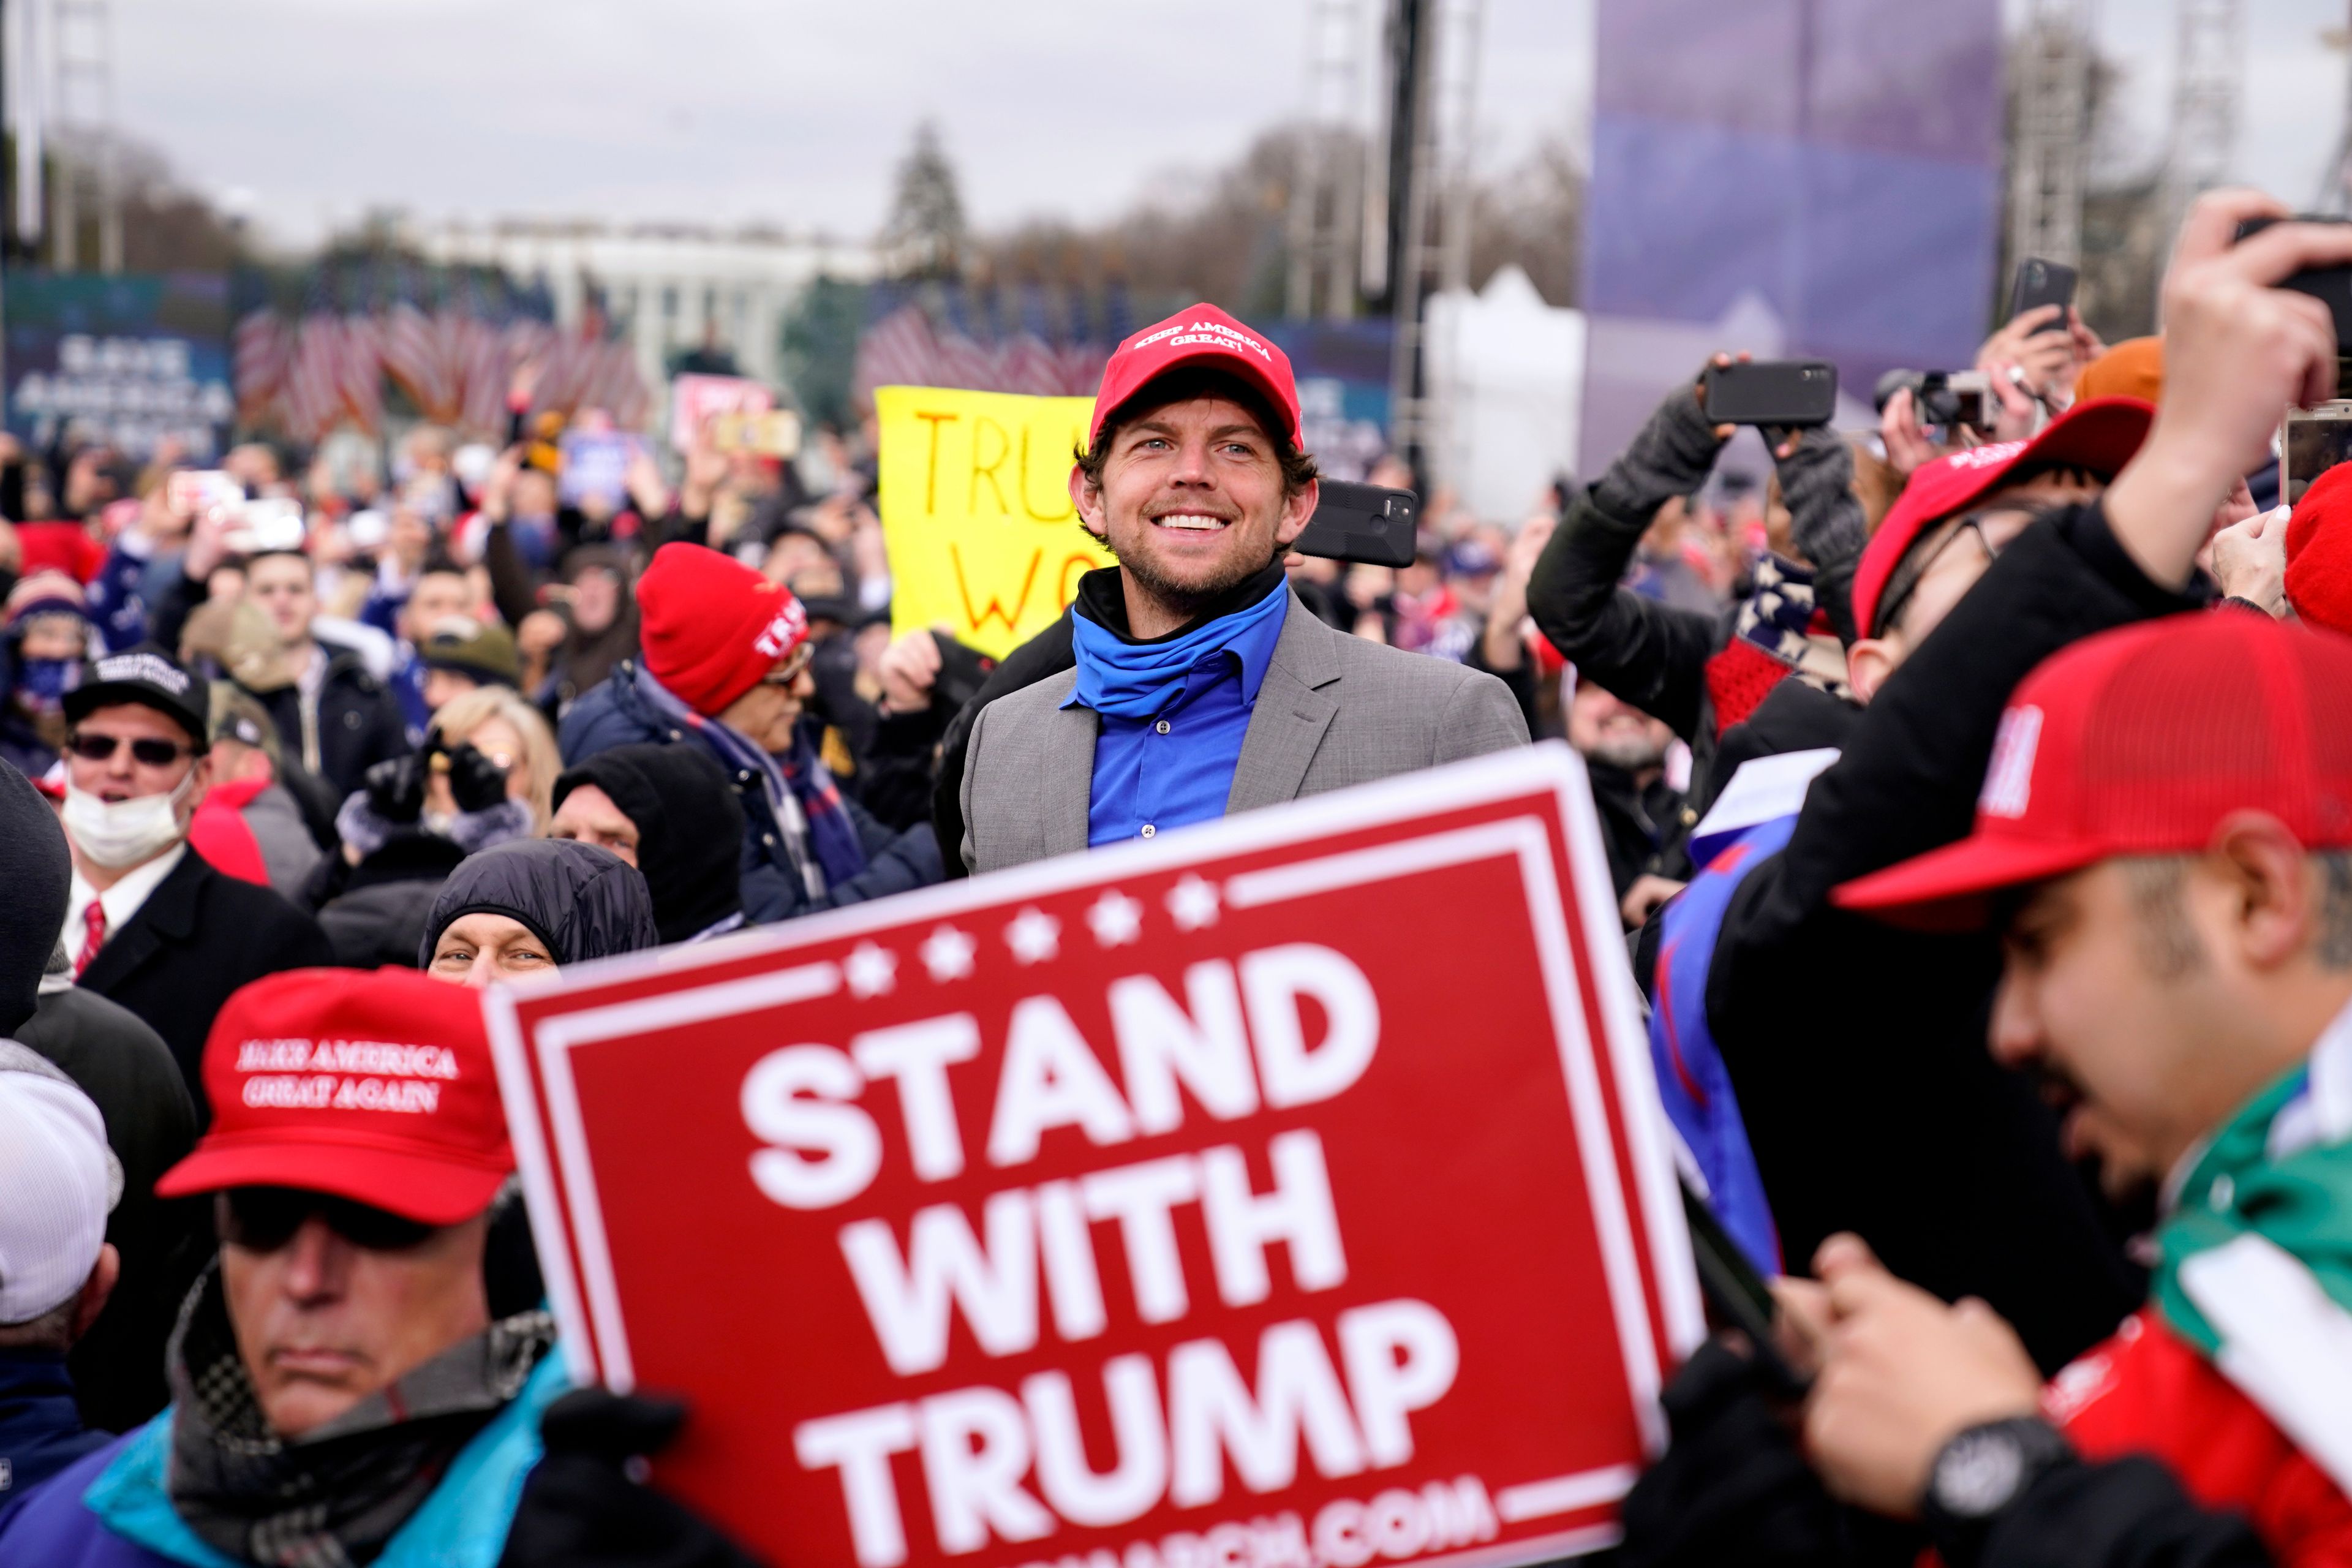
(425, 1188)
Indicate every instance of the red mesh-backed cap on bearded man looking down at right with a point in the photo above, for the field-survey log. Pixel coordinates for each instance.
(2139, 744)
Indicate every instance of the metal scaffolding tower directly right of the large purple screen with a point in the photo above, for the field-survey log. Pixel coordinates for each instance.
(2054, 121)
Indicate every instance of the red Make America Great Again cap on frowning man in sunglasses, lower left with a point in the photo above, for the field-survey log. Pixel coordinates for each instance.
(375, 1087)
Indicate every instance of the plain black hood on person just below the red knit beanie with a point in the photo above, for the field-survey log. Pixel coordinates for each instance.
(690, 829)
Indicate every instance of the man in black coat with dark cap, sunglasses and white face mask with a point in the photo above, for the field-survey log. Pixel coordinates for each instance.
(149, 923)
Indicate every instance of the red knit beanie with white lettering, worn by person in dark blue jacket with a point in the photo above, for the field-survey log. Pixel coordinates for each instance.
(714, 626)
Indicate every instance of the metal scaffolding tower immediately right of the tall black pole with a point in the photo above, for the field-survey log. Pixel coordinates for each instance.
(1434, 246)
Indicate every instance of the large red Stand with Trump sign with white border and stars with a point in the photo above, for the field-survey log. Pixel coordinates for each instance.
(1283, 1193)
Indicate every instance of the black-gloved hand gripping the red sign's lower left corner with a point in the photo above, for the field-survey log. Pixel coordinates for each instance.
(580, 1508)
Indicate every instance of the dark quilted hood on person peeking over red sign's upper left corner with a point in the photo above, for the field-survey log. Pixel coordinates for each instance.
(582, 902)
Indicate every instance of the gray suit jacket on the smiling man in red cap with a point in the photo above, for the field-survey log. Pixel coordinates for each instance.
(1335, 711)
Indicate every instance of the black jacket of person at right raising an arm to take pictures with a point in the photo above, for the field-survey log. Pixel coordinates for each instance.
(1859, 1050)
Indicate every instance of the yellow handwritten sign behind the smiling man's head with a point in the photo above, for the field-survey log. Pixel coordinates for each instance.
(977, 511)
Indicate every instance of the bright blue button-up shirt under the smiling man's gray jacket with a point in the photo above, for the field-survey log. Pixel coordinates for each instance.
(1177, 765)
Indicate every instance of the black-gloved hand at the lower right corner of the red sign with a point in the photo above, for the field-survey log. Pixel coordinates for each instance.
(1732, 1489)
